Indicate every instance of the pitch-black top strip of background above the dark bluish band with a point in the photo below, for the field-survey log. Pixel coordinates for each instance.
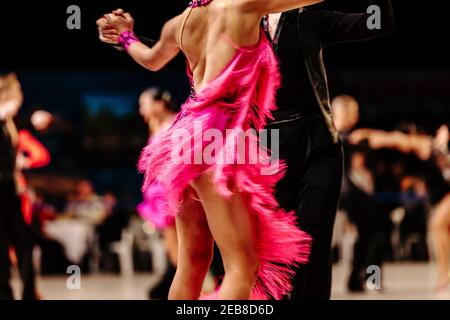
(34, 34)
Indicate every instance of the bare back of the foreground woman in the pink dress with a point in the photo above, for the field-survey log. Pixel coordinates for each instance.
(208, 37)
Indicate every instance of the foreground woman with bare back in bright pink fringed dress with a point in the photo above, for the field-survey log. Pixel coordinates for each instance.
(234, 78)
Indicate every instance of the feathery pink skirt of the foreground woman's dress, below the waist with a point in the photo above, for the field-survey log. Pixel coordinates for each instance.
(171, 160)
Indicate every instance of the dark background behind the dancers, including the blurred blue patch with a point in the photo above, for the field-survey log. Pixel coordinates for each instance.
(93, 89)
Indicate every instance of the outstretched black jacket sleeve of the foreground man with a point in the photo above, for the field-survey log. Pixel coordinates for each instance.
(338, 27)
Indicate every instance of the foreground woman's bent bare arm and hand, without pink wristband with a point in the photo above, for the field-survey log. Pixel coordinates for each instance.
(156, 57)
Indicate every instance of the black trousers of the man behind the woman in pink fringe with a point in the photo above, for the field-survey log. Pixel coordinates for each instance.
(311, 187)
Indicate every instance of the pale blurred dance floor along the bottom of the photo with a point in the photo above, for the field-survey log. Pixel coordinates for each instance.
(401, 281)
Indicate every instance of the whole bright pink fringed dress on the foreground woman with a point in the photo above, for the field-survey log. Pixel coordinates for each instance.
(240, 98)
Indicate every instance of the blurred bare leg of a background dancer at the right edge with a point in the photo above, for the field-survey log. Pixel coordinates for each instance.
(440, 223)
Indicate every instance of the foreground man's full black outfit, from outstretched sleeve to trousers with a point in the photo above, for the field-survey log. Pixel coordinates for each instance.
(309, 141)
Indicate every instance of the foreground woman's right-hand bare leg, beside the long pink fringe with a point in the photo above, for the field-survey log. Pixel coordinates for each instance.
(234, 231)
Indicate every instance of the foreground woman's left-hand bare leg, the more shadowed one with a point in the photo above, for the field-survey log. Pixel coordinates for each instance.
(195, 250)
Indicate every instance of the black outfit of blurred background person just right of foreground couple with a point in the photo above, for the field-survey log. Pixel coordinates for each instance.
(370, 213)
